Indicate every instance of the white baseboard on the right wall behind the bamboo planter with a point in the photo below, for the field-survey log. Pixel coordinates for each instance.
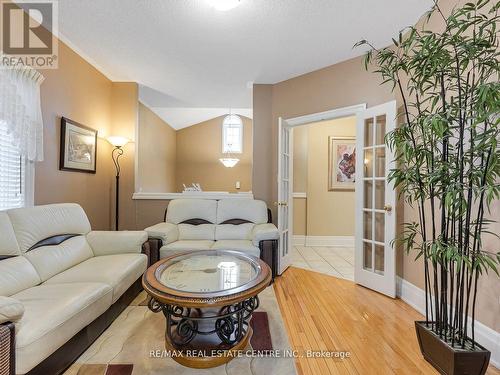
(487, 337)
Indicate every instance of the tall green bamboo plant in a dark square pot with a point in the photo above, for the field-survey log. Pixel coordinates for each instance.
(447, 167)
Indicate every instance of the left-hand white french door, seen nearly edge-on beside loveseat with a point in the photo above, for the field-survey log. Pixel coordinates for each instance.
(284, 204)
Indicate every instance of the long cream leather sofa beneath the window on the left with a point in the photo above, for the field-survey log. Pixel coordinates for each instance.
(57, 276)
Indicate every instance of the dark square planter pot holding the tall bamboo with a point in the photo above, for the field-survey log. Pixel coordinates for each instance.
(448, 360)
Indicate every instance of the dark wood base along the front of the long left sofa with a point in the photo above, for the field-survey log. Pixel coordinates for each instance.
(67, 354)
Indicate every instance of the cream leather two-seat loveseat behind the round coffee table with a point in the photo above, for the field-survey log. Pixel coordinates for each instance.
(226, 224)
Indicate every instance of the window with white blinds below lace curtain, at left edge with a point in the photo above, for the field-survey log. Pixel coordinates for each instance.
(12, 172)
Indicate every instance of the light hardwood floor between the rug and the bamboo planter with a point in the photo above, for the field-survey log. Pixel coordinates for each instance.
(322, 312)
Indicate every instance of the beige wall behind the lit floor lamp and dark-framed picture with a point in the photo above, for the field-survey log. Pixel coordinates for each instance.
(78, 91)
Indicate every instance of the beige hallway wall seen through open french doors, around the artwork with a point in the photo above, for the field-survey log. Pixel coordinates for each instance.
(329, 213)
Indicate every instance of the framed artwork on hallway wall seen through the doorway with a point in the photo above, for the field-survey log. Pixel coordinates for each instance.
(341, 163)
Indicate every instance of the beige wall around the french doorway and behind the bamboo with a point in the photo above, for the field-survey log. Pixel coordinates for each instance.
(336, 86)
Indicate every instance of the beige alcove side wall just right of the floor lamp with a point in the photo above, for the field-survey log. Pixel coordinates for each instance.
(157, 148)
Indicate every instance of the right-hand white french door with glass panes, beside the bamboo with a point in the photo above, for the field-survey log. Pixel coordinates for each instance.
(375, 258)
